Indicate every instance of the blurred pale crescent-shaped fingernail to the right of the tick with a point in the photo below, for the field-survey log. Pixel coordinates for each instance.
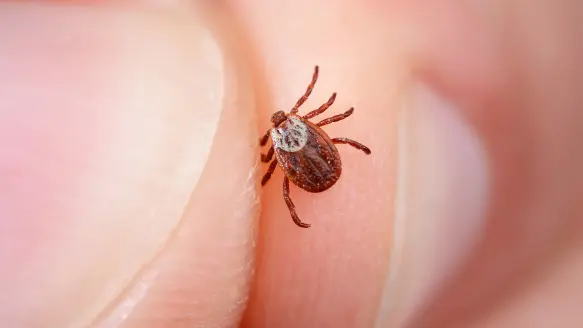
(442, 184)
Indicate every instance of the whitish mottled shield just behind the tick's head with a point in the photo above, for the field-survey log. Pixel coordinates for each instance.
(292, 136)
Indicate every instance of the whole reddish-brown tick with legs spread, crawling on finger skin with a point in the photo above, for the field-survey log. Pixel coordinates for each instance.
(306, 154)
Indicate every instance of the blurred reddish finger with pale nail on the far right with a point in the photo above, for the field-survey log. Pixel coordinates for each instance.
(492, 163)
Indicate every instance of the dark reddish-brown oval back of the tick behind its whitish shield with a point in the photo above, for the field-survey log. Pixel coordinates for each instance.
(315, 167)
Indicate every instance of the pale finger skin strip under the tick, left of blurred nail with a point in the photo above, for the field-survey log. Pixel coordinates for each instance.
(331, 274)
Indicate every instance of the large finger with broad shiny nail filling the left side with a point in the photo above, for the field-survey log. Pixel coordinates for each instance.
(108, 118)
